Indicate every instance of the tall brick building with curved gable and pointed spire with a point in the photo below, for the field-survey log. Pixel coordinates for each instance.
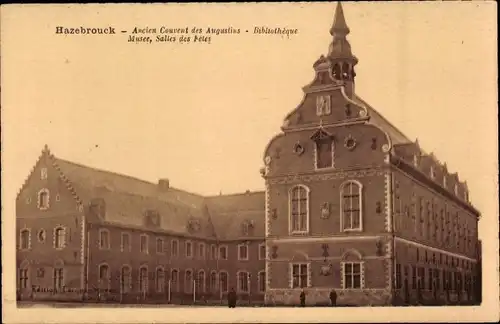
(353, 204)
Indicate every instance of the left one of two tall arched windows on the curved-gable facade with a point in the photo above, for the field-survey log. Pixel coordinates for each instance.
(299, 209)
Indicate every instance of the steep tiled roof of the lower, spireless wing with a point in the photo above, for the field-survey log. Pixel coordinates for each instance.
(127, 199)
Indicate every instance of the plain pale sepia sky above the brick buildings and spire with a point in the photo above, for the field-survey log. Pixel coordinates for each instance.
(201, 115)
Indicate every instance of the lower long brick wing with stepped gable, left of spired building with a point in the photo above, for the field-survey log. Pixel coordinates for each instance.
(93, 231)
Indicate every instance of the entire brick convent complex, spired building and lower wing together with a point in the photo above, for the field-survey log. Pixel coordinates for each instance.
(350, 204)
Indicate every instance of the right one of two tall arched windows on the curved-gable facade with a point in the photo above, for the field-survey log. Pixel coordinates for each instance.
(351, 206)
